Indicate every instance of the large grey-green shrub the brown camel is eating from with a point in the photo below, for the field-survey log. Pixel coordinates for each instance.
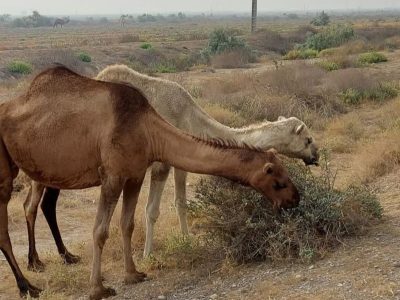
(243, 223)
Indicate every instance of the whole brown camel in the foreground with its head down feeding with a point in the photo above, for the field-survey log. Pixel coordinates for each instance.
(71, 132)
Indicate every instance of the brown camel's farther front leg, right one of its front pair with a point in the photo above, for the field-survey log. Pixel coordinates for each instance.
(130, 198)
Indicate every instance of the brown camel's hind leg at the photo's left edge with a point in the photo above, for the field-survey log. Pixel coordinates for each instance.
(6, 179)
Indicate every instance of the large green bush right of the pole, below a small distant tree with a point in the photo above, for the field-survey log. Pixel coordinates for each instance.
(332, 36)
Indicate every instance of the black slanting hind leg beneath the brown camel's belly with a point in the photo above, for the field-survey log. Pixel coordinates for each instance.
(48, 206)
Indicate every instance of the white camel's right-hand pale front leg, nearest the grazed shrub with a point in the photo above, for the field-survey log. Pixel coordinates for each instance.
(180, 199)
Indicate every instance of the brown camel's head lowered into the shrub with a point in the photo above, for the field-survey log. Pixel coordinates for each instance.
(273, 181)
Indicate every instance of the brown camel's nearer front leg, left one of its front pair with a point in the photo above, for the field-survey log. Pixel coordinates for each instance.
(110, 191)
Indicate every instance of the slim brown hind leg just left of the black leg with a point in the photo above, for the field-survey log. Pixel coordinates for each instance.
(30, 207)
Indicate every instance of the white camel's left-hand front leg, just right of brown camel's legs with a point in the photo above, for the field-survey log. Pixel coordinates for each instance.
(159, 175)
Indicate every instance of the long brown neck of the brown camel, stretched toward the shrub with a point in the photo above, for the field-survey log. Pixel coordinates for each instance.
(172, 146)
